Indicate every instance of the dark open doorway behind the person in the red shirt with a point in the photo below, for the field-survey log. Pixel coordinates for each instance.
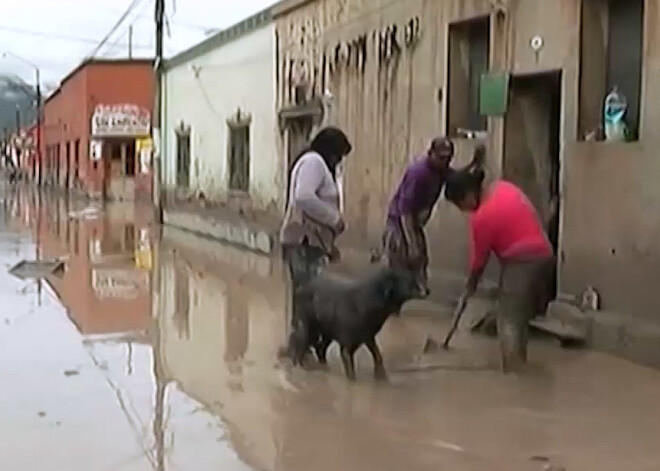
(531, 152)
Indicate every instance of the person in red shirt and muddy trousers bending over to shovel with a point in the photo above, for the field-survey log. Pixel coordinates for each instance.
(503, 221)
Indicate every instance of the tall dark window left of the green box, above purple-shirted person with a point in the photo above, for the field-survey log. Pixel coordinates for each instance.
(469, 45)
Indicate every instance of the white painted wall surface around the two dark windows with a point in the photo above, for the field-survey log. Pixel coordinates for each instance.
(241, 74)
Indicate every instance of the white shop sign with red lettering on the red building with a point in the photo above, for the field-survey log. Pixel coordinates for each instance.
(121, 121)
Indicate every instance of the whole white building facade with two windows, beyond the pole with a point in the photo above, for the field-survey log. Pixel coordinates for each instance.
(219, 136)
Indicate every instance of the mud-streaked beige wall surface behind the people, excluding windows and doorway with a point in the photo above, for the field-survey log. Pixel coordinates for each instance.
(608, 221)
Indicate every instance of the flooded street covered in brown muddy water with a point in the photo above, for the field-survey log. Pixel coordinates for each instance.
(160, 354)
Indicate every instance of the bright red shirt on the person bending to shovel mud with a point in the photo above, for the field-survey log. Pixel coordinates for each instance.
(507, 224)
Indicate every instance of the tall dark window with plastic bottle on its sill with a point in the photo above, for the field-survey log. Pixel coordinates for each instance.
(611, 40)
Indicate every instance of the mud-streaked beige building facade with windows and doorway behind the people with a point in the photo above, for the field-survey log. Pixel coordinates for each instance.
(401, 72)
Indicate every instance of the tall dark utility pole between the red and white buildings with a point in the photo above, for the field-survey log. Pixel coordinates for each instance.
(159, 15)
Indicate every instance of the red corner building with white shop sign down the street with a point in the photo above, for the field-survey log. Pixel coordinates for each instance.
(94, 125)
